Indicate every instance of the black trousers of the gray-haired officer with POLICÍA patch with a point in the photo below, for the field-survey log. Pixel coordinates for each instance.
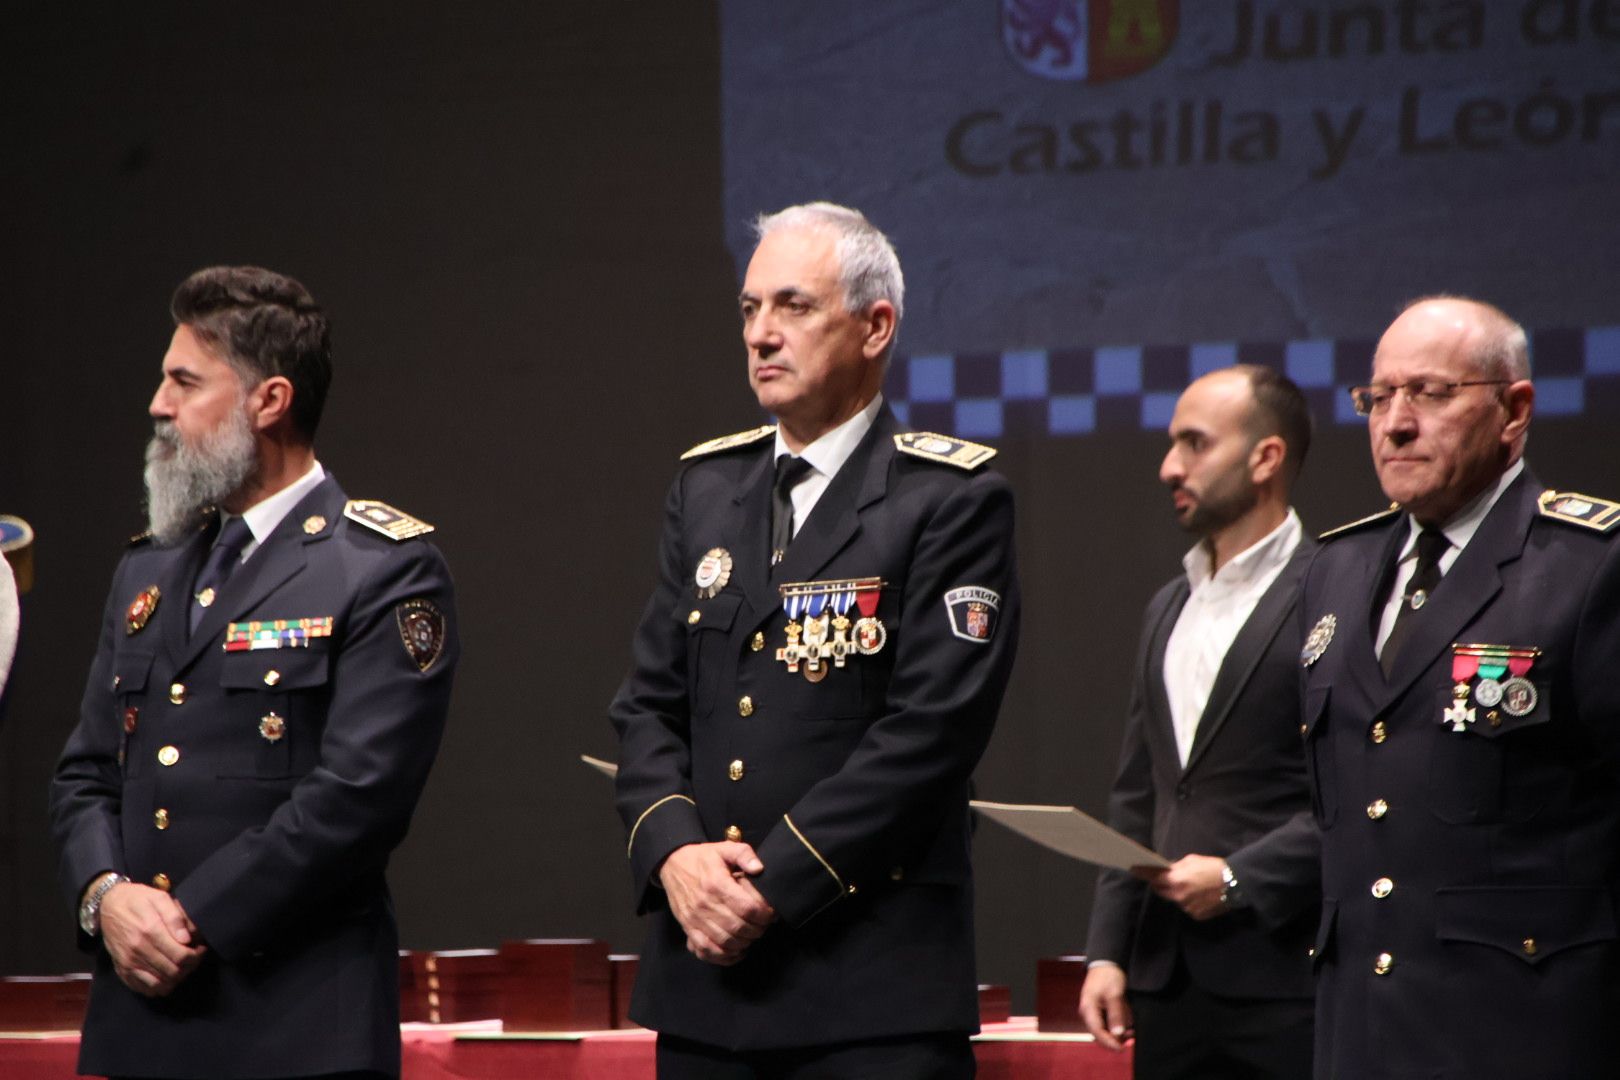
(939, 1057)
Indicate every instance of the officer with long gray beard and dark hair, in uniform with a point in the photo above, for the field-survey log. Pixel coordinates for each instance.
(266, 700)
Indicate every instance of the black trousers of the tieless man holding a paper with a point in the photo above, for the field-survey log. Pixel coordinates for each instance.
(1185, 1032)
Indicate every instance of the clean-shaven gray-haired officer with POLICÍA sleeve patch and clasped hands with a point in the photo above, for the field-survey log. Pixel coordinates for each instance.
(814, 679)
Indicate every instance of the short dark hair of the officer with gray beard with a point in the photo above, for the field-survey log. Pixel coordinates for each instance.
(263, 325)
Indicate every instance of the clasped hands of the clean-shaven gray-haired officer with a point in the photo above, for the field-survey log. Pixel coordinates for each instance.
(714, 899)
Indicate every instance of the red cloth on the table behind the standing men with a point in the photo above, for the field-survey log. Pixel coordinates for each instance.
(1005, 1052)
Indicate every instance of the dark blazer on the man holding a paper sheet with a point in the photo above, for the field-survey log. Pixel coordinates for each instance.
(1242, 796)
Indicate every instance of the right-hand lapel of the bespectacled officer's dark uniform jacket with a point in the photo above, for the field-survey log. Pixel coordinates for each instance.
(1470, 585)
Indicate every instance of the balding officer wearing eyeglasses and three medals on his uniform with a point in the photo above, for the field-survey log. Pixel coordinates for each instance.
(1462, 723)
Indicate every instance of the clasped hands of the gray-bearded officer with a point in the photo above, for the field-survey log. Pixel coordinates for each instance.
(151, 940)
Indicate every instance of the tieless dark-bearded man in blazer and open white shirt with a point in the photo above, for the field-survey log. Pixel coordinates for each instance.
(1206, 961)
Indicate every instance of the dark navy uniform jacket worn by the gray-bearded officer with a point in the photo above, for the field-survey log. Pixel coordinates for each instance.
(275, 849)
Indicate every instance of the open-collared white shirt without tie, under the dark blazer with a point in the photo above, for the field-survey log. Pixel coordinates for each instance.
(1214, 614)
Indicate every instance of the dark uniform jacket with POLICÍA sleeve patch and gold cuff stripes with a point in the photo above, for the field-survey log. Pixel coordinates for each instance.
(855, 789)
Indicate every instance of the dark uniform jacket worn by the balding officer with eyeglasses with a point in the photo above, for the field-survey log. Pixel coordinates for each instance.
(1499, 844)
